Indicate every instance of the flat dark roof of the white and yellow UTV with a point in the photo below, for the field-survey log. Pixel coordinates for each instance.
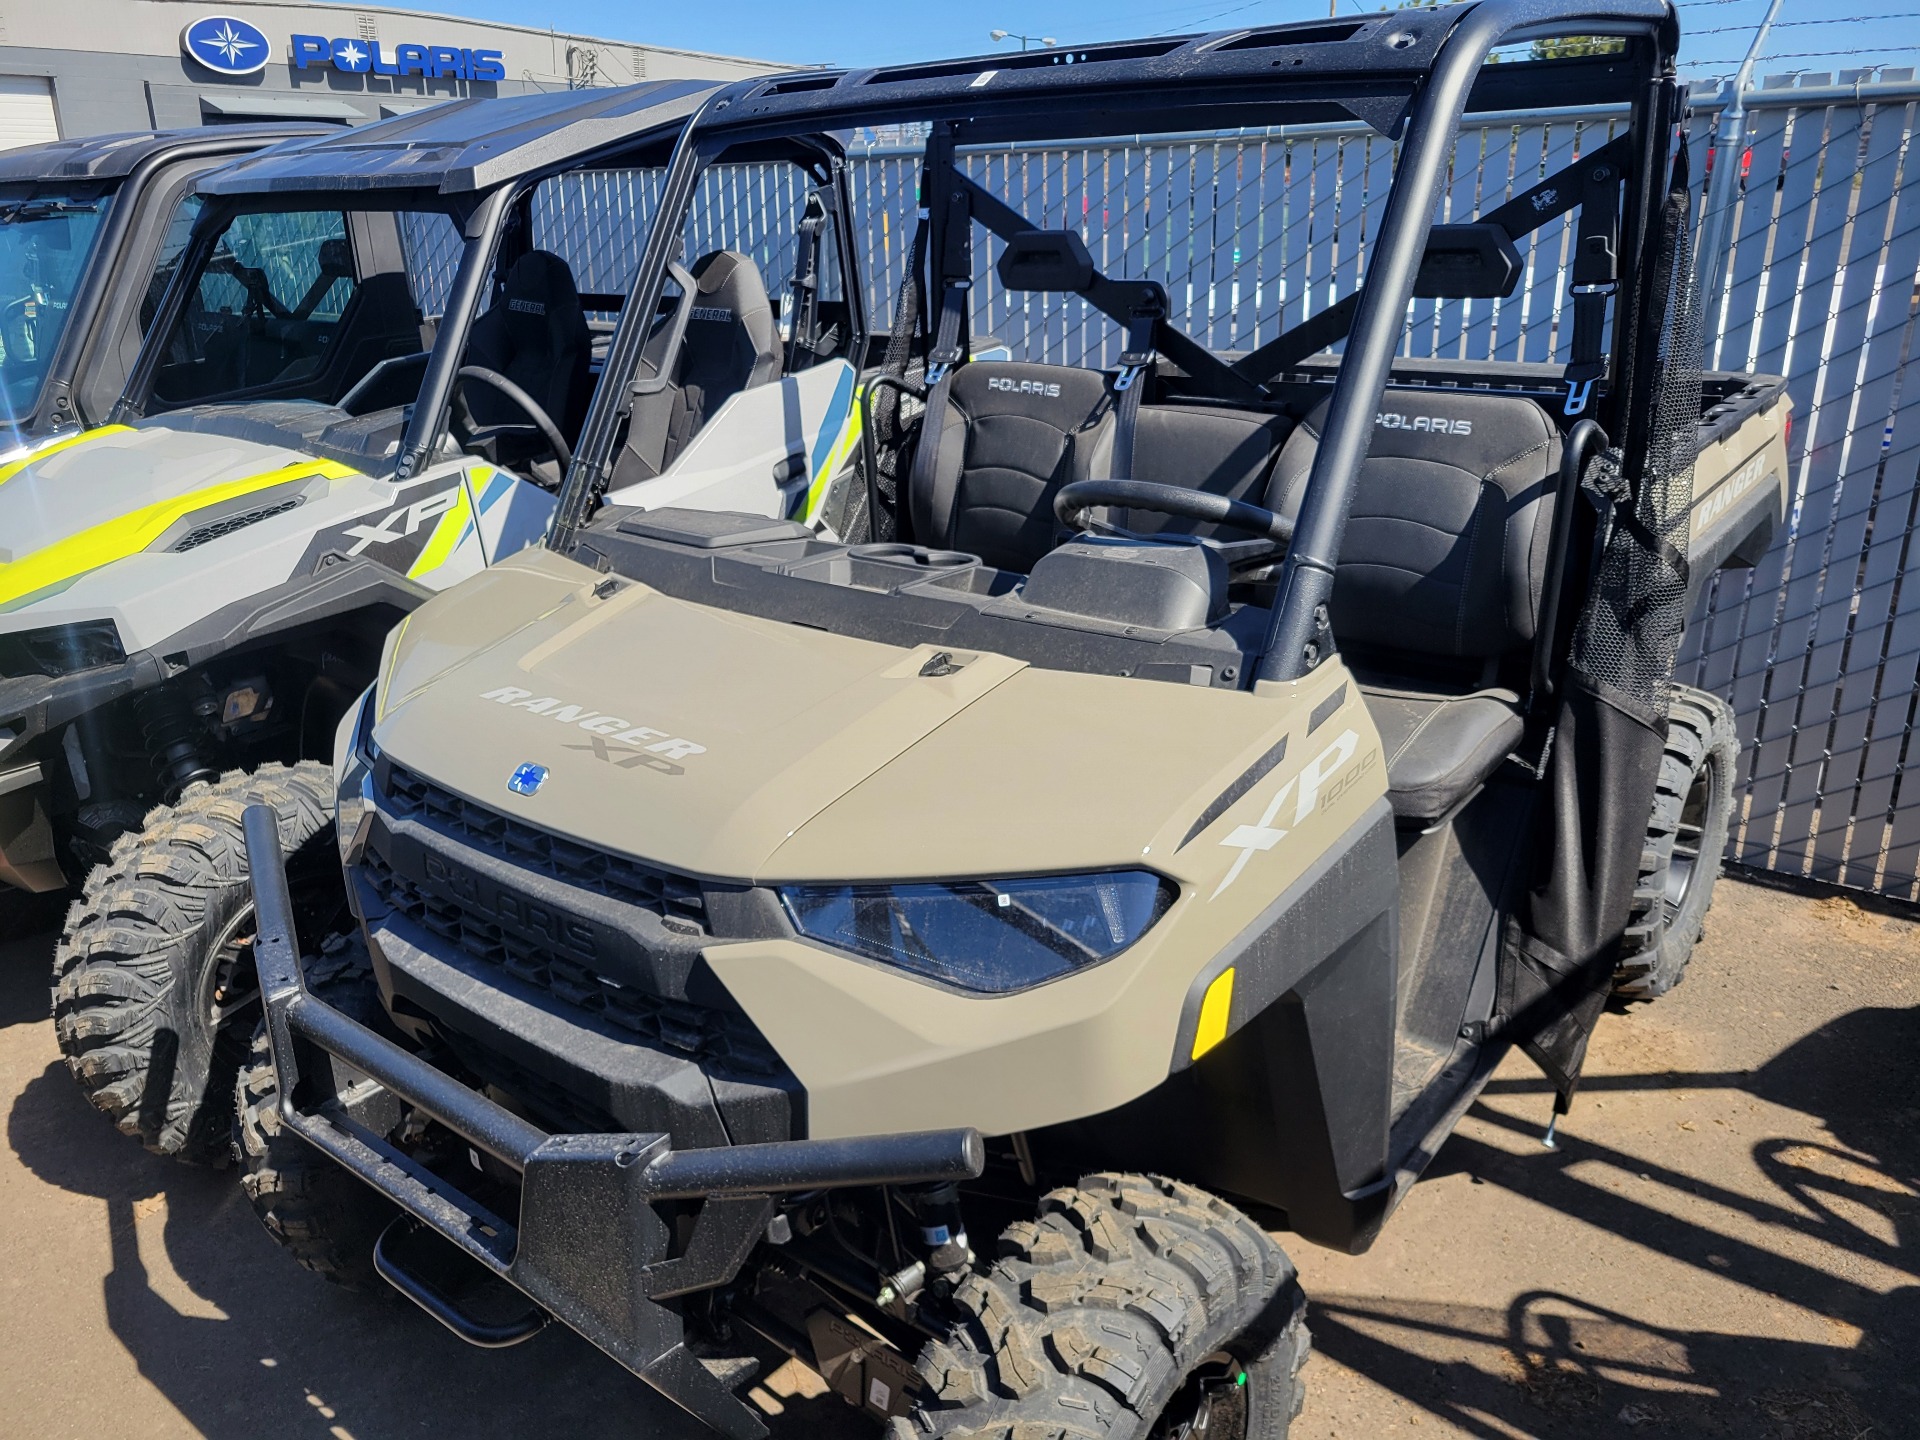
(462, 147)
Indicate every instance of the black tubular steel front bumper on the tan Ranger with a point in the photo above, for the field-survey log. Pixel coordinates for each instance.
(588, 1245)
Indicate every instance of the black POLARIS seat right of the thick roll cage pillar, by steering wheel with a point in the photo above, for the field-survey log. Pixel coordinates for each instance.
(1439, 587)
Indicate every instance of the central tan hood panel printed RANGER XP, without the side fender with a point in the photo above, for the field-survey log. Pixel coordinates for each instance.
(673, 732)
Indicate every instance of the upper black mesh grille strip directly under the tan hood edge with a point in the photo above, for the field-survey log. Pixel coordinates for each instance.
(677, 900)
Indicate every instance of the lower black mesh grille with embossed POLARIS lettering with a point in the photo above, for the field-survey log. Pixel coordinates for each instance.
(713, 1038)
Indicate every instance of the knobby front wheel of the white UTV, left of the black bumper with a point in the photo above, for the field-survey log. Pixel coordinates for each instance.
(155, 994)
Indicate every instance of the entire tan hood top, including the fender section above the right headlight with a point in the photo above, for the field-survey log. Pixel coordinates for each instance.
(738, 748)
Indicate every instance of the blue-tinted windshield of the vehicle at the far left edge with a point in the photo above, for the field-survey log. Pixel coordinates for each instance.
(45, 247)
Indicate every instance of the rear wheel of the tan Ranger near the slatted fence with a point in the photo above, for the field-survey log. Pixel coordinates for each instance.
(1687, 836)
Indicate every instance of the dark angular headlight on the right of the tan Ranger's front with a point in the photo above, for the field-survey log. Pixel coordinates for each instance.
(992, 936)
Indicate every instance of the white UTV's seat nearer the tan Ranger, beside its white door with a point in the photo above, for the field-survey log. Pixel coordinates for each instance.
(732, 345)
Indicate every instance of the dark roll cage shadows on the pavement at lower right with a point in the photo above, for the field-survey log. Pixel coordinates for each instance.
(1562, 1366)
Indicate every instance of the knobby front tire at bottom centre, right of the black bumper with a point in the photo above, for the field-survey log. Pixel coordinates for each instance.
(1134, 1308)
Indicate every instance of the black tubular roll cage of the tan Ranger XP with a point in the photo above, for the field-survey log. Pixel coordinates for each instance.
(1412, 76)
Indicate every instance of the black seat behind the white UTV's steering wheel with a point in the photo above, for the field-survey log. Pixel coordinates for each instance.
(537, 335)
